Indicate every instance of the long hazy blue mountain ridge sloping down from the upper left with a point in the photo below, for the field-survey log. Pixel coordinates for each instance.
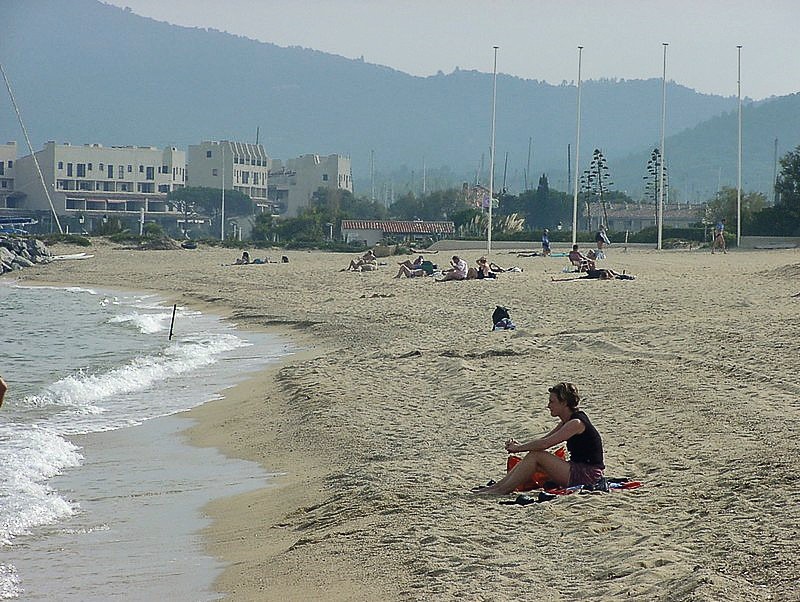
(128, 79)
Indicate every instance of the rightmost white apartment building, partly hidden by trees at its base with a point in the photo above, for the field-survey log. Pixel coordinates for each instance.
(293, 184)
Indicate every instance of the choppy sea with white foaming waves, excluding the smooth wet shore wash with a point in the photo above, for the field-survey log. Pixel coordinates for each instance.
(106, 364)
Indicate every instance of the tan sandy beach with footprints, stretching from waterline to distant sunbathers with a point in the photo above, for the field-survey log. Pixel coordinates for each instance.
(402, 396)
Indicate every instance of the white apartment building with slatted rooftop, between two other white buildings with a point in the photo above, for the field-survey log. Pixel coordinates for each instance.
(235, 165)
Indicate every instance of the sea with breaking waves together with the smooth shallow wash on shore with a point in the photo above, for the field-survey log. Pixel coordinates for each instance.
(99, 495)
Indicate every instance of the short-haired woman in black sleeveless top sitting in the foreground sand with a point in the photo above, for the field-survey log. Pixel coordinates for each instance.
(585, 466)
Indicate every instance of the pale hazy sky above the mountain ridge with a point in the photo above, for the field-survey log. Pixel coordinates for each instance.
(538, 39)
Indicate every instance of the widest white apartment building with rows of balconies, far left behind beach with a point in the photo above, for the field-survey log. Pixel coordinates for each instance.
(92, 181)
